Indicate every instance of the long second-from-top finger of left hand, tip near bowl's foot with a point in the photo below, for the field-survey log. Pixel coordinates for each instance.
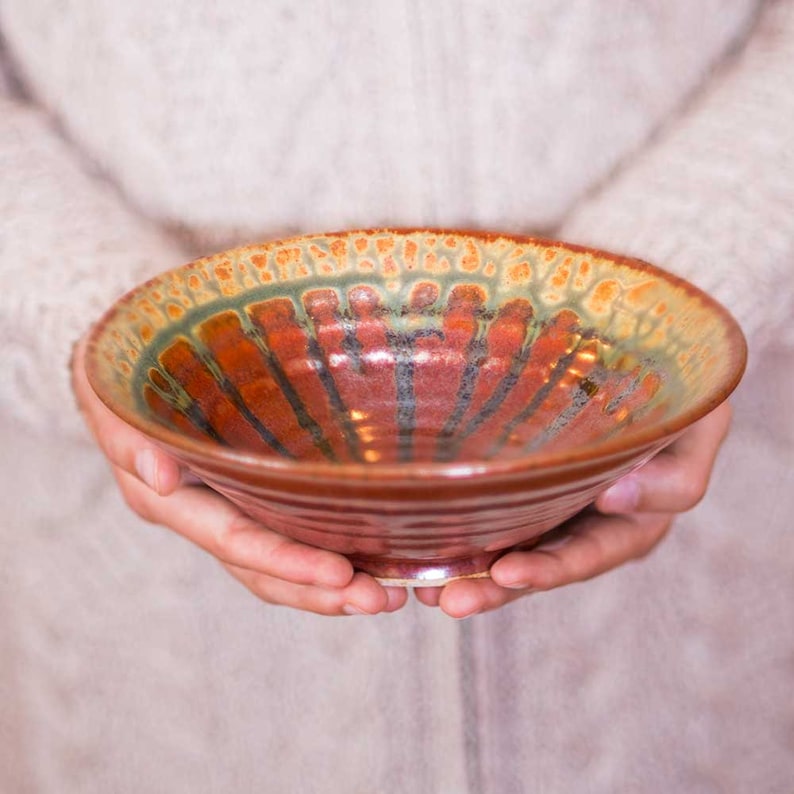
(217, 526)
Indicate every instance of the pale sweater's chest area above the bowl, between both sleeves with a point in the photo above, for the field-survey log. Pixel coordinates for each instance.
(251, 117)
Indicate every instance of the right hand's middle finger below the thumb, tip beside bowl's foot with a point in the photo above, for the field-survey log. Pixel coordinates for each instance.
(595, 544)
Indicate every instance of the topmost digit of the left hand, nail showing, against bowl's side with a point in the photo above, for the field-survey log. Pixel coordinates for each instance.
(123, 445)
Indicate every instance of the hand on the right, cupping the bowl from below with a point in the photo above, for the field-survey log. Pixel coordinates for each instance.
(626, 523)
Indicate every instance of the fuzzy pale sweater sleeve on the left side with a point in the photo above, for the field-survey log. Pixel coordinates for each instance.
(68, 247)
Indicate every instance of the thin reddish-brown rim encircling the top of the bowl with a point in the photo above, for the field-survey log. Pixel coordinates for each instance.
(654, 435)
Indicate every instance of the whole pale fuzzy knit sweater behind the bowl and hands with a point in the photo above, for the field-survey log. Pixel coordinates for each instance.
(134, 134)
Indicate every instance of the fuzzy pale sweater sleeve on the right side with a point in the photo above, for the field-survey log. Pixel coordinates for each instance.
(712, 196)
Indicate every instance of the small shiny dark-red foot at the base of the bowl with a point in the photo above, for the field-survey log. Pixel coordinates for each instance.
(425, 573)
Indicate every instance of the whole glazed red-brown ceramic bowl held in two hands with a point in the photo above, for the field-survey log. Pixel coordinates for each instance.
(419, 400)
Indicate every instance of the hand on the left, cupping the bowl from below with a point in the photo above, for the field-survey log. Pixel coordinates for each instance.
(278, 570)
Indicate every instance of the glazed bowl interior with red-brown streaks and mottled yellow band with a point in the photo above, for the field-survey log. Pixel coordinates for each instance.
(396, 347)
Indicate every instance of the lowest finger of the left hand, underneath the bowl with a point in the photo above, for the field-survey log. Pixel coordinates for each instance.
(362, 596)
